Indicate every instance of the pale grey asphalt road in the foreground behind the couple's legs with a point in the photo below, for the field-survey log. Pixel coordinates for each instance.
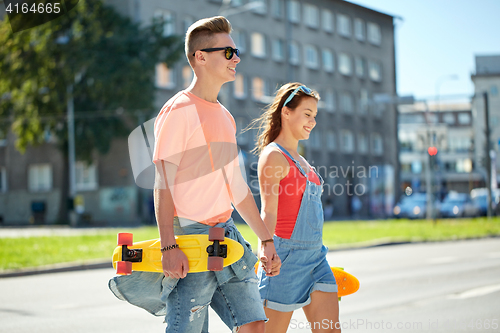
(428, 287)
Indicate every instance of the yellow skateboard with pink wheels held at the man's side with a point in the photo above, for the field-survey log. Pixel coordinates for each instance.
(204, 252)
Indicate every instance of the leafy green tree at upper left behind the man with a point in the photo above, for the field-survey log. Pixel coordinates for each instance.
(107, 59)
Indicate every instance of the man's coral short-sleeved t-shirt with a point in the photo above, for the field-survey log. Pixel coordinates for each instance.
(200, 138)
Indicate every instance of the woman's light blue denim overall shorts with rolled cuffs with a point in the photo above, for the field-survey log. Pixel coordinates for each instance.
(304, 266)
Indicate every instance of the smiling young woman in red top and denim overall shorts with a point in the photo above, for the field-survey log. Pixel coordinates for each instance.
(292, 211)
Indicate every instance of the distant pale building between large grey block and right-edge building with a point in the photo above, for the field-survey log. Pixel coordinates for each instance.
(449, 128)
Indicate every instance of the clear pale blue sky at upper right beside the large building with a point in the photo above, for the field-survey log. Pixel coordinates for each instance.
(437, 38)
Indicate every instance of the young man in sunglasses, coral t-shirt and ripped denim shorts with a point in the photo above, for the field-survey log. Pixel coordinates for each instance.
(197, 178)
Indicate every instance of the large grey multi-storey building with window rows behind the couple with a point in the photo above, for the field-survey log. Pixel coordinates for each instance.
(345, 51)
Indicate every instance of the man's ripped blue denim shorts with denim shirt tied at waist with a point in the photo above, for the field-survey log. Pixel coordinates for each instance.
(232, 292)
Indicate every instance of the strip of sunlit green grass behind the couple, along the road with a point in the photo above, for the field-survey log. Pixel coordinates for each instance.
(38, 251)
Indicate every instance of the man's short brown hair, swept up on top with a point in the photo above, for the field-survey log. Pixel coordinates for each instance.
(200, 34)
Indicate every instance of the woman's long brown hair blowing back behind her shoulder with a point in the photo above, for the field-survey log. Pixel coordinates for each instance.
(269, 123)
